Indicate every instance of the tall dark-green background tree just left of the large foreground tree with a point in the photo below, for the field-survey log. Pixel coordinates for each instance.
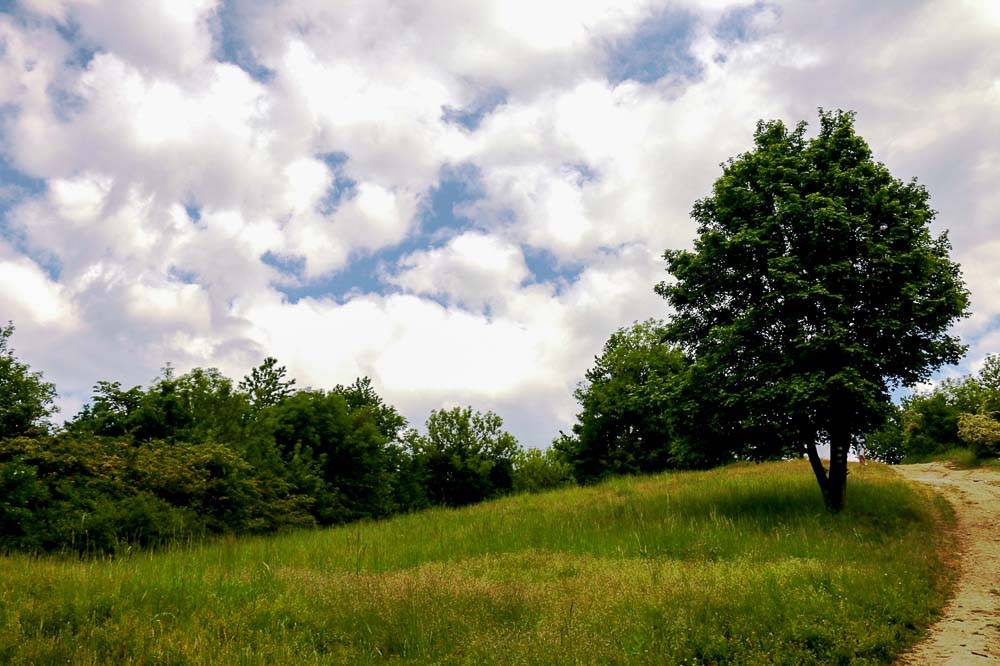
(626, 423)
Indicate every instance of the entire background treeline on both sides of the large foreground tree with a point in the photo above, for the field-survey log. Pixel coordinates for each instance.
(197, 453)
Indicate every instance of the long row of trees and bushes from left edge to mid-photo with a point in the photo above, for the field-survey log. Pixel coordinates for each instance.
(195, 454)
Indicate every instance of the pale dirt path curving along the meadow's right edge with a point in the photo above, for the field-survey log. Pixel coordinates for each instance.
(969, 632)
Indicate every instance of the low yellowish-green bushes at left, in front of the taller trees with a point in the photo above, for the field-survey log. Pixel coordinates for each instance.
(103, 495)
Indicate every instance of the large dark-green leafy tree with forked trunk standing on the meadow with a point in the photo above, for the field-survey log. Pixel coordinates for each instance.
(815, 286)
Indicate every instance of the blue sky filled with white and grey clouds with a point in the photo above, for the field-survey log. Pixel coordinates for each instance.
(461, 200)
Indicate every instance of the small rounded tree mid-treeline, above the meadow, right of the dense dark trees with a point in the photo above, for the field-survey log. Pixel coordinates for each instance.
(465, 456)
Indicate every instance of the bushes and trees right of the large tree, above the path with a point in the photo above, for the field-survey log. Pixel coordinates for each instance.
(961, 413)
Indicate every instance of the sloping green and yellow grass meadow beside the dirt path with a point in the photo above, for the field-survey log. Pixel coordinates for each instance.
(737, 565)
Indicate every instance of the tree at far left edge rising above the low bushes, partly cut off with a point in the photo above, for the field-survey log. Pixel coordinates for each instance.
(26, 400)
